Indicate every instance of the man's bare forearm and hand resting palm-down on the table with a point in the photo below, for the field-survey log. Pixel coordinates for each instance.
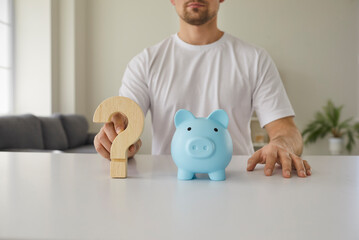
(285, 147)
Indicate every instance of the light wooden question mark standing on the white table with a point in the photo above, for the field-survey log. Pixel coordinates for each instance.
(125, 139)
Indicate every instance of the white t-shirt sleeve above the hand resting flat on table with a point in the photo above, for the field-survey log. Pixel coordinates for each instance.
(270, 100)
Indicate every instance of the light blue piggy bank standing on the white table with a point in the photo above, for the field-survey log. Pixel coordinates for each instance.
(201, 145)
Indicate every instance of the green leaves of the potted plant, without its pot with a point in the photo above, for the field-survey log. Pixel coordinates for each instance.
(328, 122)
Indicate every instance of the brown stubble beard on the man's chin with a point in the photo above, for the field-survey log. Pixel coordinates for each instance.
(196, 16)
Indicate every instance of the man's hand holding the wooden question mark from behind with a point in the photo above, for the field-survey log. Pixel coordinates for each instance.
(103, 140)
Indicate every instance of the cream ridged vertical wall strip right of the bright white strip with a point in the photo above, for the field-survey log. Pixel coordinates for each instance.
(70, 27)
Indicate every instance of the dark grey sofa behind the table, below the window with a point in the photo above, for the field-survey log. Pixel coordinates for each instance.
(65, 133)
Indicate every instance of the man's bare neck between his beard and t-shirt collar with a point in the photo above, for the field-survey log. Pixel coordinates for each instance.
(200, 35)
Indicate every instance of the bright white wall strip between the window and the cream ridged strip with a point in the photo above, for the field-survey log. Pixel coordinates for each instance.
(32, 57)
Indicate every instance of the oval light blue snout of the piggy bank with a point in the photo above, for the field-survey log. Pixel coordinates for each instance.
(200, 147)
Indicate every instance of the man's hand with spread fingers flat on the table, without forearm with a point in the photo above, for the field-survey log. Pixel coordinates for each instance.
(272, 154)
